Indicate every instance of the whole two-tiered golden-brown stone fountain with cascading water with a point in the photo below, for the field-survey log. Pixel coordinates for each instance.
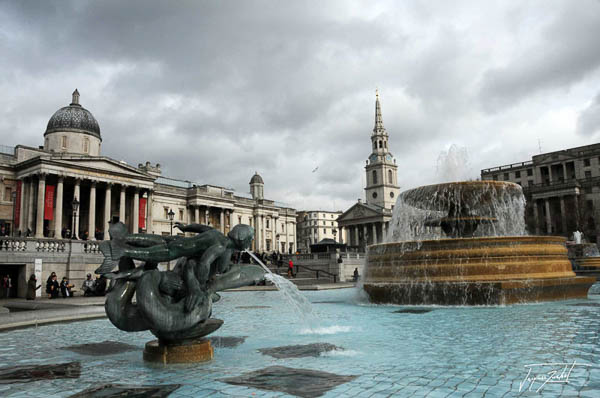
(482, 258)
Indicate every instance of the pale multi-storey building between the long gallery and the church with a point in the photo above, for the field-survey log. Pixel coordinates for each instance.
(313, 226)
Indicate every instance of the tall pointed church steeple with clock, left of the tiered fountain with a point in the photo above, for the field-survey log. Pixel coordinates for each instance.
(382, 173)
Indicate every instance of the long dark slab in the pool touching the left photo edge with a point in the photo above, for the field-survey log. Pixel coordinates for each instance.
(29, 373)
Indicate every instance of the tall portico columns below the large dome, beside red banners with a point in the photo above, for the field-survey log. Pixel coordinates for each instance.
(28, 195)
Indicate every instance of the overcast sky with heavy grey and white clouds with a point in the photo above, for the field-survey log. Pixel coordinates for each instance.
(216, 90)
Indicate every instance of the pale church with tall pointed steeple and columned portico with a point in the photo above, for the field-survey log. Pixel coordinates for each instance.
(367, 223)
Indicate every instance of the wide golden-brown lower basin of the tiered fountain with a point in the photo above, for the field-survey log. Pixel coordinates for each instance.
(473, 271)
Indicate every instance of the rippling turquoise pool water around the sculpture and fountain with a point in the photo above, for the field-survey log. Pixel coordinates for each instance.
(445, 352)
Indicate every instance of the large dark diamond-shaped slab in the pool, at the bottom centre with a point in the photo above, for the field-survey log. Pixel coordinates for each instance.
(304, 383)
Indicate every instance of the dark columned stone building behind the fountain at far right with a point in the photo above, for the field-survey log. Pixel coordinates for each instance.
(562, 189)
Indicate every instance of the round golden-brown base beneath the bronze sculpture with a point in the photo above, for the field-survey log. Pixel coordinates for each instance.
(197, 351)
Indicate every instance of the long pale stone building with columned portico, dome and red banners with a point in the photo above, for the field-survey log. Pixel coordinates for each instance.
(66, 188)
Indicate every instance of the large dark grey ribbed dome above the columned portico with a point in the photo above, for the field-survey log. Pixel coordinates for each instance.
(73, 118)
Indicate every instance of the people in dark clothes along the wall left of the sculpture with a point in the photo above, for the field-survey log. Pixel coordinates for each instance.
(54, 289)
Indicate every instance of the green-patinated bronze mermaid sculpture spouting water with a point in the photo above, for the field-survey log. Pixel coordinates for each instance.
(174, 305)
